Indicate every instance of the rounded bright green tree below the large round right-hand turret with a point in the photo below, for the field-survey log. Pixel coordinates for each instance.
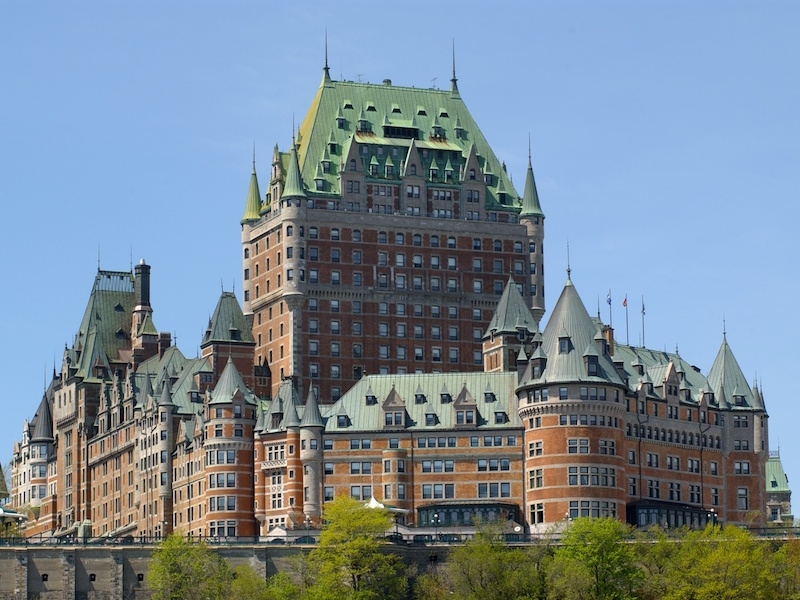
(595, 562)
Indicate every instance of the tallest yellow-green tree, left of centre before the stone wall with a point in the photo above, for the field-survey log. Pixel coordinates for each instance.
(349, 562)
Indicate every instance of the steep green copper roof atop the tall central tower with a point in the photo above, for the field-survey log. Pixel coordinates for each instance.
(388, 109)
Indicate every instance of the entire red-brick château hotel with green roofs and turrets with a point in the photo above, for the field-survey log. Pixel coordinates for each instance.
(388, 347)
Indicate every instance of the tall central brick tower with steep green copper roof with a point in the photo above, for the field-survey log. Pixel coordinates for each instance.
(385, 240)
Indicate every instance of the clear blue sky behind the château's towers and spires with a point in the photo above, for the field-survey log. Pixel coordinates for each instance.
(665, 139)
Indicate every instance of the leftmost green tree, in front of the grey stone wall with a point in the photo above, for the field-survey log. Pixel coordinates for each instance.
(182, 570)
